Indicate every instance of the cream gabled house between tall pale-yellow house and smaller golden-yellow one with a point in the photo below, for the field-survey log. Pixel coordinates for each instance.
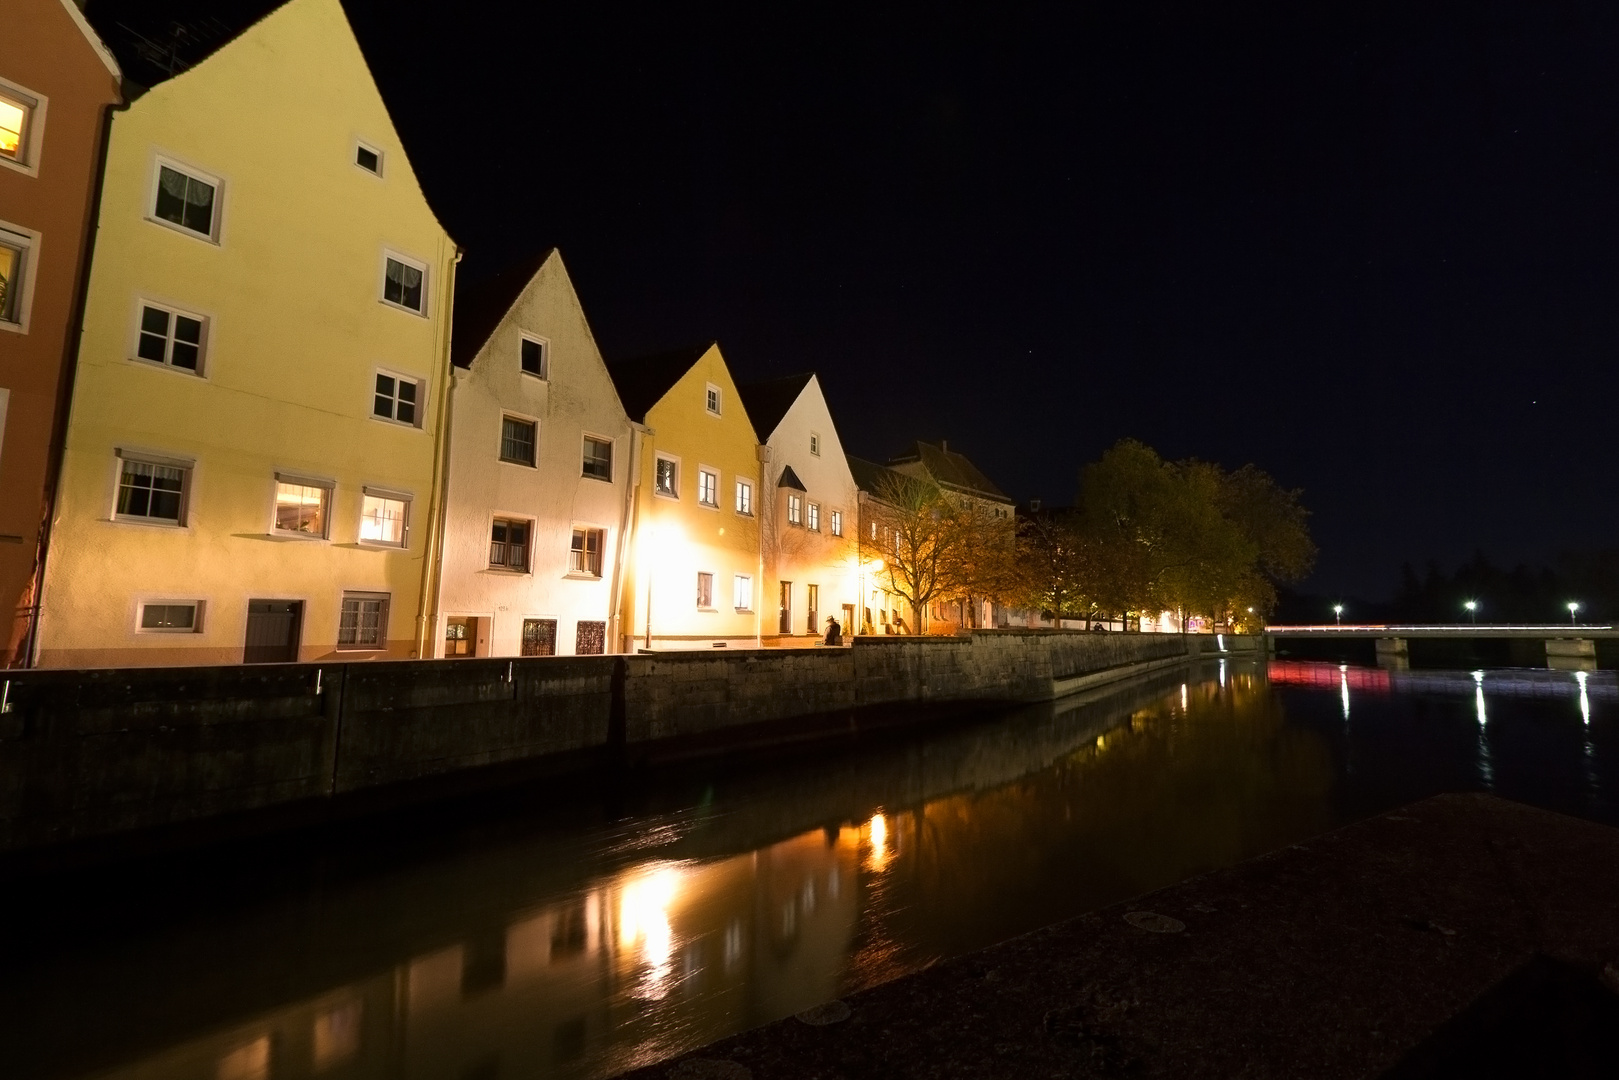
(540, 475)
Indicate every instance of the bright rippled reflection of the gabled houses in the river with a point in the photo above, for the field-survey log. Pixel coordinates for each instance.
(629, 971)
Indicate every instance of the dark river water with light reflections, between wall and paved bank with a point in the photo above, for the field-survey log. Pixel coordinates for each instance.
(577, 933)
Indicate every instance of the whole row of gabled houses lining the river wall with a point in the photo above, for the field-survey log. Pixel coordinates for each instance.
(239, 427)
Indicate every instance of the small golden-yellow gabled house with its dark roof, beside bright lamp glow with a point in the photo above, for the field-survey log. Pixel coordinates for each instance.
(694, 574)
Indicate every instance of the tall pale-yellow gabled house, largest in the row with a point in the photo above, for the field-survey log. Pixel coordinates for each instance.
(252, 461)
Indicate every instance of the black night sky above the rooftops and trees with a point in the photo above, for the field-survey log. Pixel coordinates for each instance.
(1367, 247)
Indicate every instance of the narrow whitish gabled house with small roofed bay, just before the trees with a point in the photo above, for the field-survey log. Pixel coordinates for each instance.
(812, 546)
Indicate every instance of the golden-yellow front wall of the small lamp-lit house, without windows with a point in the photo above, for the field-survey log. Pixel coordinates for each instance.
(678, 538)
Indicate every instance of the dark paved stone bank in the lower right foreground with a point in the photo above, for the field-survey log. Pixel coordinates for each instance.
(1327, 959)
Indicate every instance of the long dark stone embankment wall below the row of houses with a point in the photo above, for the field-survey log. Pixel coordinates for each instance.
(103, 752)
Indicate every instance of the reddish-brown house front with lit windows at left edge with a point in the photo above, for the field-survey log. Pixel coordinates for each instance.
(56, 85)
